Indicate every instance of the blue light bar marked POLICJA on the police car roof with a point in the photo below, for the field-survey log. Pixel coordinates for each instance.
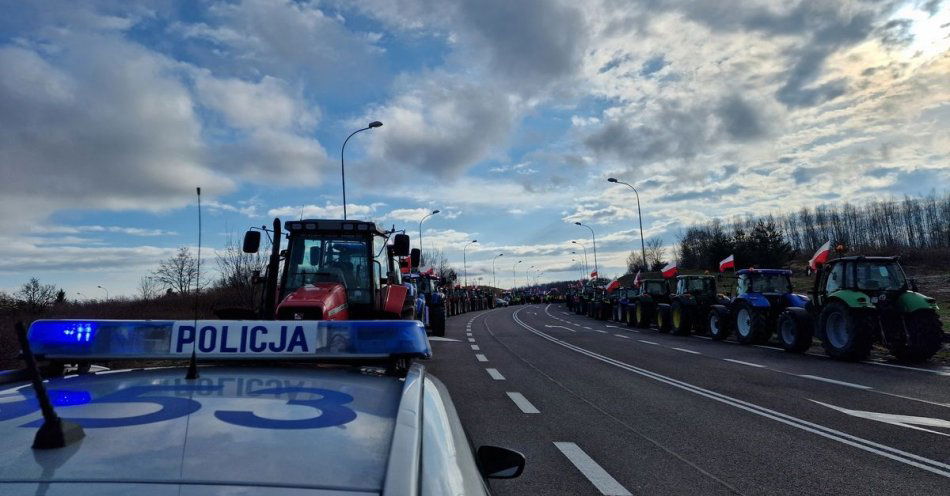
(229, 339)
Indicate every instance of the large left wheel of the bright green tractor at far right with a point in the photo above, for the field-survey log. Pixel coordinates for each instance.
(848, 335)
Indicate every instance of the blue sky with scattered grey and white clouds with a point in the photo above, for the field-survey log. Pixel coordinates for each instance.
(506, 115)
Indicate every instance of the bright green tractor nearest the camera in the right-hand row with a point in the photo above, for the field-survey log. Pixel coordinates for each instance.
(857, 301)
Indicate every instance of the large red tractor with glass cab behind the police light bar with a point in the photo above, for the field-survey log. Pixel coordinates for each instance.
(333, 270)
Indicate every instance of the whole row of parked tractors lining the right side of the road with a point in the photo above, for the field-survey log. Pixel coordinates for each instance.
(854, 303)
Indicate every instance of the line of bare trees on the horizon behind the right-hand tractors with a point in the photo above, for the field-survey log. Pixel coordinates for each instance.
(915, 228)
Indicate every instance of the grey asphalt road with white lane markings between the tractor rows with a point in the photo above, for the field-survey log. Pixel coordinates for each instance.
(600, 408)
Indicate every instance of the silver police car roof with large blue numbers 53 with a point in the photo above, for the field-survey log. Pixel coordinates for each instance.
(232, 430)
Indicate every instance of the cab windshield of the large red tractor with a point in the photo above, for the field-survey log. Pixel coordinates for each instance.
(342, 259)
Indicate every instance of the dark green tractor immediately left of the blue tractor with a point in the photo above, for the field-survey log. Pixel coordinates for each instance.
(689, 305)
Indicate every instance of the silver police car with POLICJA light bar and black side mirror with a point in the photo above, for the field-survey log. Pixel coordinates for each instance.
(266, 414)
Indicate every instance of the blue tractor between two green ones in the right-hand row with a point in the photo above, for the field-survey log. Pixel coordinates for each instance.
(761, 295)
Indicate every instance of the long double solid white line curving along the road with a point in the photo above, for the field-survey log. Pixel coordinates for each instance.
(923, 463)
